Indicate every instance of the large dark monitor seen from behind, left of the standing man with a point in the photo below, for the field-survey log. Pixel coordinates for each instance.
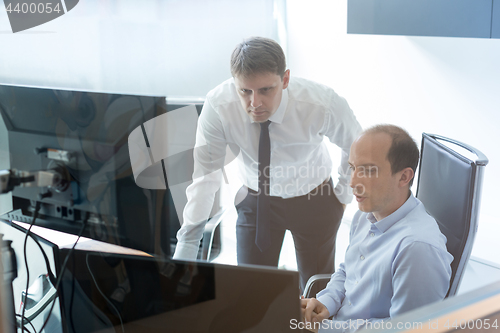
(84, 136)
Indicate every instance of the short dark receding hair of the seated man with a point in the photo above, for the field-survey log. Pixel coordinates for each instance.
(403, 152)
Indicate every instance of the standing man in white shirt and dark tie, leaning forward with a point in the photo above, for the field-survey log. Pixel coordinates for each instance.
(278, 124)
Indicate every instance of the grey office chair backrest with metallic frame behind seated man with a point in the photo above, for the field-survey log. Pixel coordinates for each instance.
(449, 186)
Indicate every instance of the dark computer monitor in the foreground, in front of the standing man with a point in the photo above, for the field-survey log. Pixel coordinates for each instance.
(179, 296)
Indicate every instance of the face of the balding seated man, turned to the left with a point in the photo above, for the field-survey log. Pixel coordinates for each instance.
(376, 189)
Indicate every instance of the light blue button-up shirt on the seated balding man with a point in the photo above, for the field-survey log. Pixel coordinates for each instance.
(391, 266)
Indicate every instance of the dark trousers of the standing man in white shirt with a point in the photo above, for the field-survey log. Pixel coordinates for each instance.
(313, 219)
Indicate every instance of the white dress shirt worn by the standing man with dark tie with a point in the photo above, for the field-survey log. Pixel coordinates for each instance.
(300, 160)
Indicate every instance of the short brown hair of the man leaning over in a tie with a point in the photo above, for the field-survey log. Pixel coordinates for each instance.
(257, 55)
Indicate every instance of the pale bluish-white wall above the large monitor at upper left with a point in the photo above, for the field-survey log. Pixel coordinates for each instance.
(160, 47)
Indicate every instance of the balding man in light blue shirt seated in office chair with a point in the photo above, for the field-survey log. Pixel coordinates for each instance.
(397, 259)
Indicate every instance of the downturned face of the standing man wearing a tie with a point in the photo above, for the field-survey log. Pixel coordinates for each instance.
(260, 94)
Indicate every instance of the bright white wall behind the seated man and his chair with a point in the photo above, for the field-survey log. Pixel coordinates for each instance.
(447, 86)
